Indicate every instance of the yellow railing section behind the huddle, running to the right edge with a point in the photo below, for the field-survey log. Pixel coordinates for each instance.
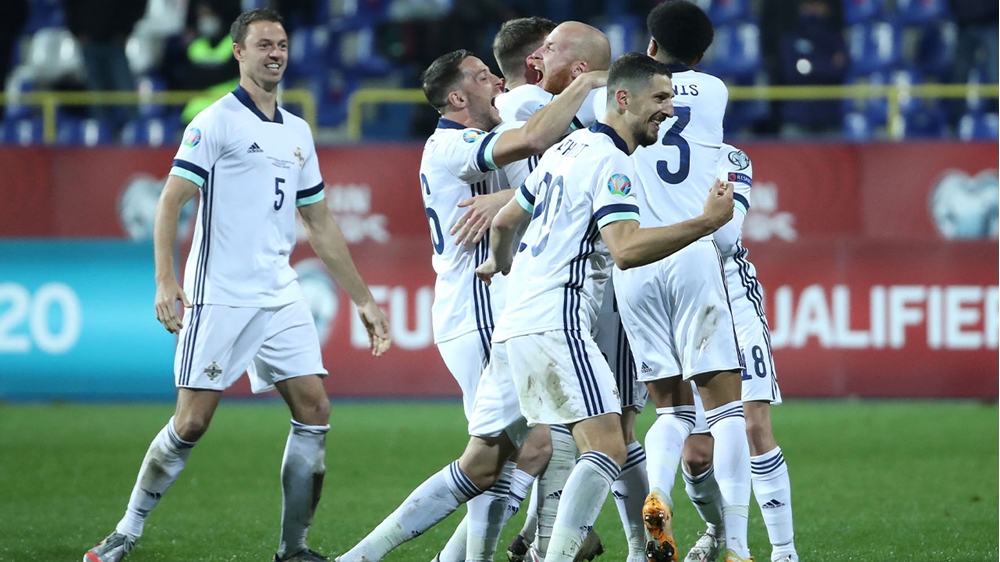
(894, 95)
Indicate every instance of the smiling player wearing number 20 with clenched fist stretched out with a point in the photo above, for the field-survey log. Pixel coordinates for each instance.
(560, 313)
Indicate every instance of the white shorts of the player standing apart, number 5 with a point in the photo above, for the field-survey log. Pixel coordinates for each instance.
(218, 343)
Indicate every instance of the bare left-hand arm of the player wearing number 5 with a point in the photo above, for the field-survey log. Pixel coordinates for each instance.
(176, 193)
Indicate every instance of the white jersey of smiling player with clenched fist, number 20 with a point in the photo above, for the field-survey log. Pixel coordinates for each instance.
(560, 269)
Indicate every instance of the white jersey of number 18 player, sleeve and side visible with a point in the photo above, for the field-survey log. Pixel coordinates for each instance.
(745, 292)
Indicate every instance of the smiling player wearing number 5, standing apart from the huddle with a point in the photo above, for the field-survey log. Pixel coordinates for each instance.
(254, 165)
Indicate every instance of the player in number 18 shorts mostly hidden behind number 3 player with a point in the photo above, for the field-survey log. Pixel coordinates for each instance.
(769, 471)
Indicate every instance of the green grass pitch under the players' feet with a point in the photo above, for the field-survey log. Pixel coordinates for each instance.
(871, 480)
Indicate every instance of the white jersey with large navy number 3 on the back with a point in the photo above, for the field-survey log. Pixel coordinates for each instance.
(676, 172)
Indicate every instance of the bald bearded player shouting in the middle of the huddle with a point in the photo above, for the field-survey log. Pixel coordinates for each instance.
(569, 50)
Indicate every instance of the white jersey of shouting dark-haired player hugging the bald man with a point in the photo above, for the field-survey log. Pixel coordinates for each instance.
(457, 164)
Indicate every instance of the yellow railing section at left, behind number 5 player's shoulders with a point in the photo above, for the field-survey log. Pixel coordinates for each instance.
(51, 101)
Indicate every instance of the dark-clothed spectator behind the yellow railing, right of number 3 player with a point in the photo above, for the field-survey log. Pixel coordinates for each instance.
(814, 53)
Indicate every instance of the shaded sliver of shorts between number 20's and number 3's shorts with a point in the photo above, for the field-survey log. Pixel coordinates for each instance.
(613, 342)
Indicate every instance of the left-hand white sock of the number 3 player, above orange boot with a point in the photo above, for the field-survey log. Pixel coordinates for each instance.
(664, 443)
